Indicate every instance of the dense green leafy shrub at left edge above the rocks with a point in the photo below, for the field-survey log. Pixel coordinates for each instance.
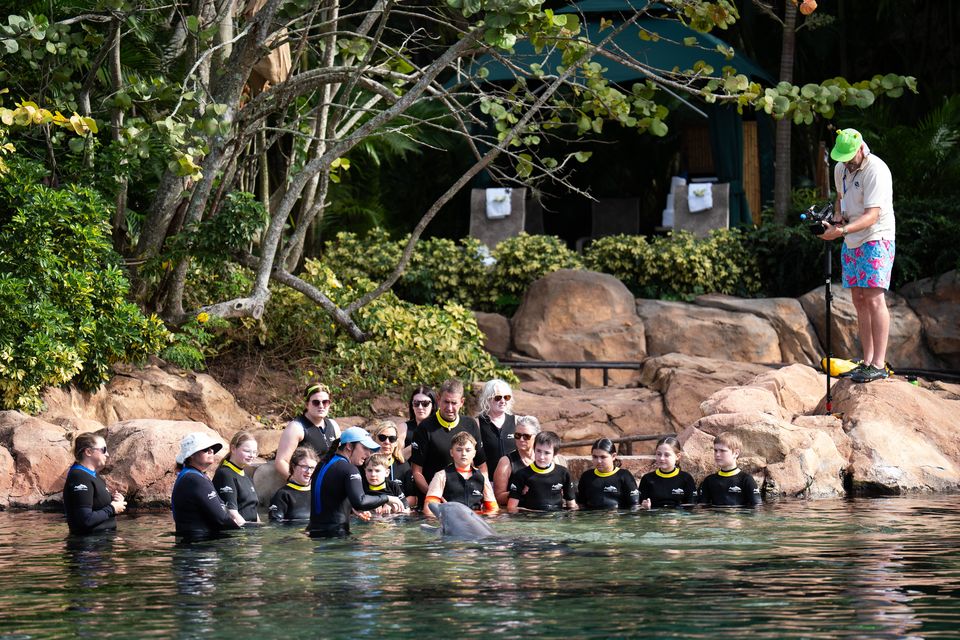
(63, 292)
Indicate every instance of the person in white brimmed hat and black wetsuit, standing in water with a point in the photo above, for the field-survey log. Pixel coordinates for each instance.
(198, 511)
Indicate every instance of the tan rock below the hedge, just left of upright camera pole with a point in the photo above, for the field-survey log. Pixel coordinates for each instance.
(797, 337)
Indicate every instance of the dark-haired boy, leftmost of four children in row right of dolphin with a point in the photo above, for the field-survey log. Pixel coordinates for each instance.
(544, 485)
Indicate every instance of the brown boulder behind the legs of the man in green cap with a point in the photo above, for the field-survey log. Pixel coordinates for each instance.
(906, 347)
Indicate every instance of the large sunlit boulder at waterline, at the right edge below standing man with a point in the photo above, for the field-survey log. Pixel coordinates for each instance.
(904, 437)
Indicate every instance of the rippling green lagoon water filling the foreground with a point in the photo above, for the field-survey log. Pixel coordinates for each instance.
(883, 568)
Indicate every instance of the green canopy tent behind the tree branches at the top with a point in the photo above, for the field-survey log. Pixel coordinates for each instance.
(669, 44)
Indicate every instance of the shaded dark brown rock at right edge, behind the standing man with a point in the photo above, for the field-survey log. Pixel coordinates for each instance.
(936, 301)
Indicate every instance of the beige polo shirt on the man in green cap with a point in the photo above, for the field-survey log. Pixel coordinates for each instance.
(869, 186)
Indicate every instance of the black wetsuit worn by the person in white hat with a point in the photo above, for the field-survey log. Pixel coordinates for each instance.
(198, 511)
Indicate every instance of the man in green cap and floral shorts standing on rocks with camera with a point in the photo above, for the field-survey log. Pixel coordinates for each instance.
(865, 221)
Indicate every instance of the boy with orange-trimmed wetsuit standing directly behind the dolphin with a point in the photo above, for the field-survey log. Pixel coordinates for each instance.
(461, 481)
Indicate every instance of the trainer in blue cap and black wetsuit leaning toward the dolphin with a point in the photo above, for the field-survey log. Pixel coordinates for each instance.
(338, 487)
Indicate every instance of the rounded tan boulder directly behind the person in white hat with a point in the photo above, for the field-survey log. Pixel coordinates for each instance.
(143, 458)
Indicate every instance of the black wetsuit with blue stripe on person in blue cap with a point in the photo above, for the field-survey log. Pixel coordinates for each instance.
(337, 487)
